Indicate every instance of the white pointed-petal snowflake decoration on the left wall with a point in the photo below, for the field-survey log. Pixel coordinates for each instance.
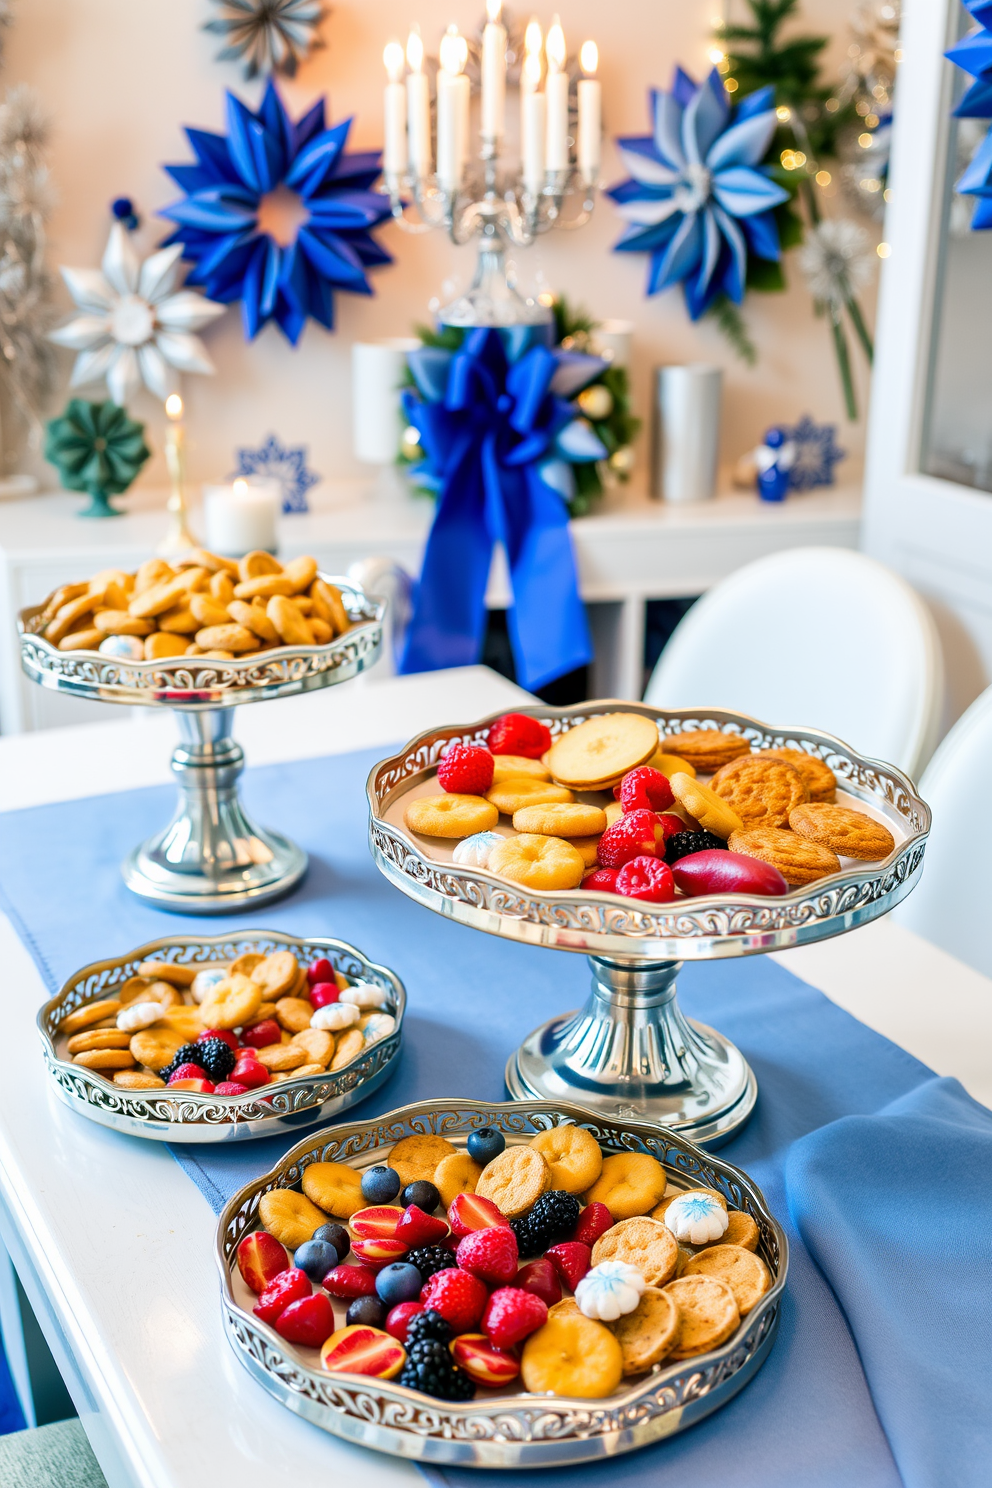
(135, 324)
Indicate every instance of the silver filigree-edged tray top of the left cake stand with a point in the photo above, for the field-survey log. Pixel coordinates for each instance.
(182, 684)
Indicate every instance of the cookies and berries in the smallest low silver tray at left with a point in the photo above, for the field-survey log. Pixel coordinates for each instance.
(227, 1029)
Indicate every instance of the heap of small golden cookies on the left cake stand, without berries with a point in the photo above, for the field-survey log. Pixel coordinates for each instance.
(200, 605)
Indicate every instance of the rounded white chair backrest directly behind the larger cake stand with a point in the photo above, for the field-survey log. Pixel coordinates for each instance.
(816, 636)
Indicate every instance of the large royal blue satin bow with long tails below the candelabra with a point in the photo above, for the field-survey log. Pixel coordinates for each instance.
(500, 437)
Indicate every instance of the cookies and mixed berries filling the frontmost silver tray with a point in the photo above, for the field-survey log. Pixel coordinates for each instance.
(547, 1266)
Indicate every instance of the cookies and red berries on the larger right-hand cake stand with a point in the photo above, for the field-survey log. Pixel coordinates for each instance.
(615, 807)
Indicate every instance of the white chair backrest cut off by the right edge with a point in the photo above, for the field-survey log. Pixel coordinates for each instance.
(951, 902)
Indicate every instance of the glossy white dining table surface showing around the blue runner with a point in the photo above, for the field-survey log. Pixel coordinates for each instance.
(114, 1243)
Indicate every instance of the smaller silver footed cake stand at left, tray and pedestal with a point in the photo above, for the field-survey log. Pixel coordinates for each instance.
(212, 859)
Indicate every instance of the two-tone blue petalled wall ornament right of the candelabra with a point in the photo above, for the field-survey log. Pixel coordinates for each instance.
(698, 200)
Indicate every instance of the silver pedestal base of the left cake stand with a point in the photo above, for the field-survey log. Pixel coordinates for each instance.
(212, 859)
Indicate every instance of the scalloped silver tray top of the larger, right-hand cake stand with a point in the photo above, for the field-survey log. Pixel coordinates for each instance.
(689, 929)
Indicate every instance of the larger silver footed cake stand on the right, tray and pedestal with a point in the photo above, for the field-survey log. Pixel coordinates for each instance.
(631, 1051)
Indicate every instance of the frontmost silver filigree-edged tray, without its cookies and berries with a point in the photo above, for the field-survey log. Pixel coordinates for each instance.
(500, 1429)
